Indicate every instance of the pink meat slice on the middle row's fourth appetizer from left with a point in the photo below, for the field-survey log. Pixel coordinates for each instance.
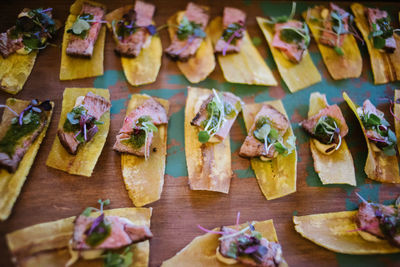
(202, 114)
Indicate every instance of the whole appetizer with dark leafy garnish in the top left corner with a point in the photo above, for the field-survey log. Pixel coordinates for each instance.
(19, 46)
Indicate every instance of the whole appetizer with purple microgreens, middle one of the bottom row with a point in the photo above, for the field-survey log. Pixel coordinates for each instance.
(251, 244)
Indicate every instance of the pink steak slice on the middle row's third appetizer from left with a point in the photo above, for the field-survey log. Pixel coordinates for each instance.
(158, 116)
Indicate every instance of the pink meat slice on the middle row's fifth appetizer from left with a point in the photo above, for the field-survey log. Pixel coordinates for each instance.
(252, 147)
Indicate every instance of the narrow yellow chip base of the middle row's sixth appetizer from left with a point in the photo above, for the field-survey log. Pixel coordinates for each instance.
(337, 168)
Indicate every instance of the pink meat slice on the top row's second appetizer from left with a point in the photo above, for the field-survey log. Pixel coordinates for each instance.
(84, 47)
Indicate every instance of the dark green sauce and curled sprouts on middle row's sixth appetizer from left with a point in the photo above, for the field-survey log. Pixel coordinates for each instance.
(327, 131)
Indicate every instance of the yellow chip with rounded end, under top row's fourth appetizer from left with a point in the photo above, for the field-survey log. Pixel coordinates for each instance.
(198, 67)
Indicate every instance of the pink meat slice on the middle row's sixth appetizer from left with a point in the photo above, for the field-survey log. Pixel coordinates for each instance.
(331, 111)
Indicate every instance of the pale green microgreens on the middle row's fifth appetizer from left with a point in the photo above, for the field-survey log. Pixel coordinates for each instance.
(268, 135)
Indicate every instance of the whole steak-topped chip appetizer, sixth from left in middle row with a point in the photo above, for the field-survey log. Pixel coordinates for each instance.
(327, 128)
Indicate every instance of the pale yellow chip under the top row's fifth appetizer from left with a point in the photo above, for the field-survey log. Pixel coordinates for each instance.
(247, 66)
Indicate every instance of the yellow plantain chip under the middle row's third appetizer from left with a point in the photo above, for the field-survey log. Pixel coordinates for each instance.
(144, 179)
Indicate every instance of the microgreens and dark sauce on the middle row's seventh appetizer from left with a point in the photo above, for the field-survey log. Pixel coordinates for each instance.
(384, 138)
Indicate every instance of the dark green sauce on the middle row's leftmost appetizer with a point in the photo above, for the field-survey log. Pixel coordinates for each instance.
(16, 132)
